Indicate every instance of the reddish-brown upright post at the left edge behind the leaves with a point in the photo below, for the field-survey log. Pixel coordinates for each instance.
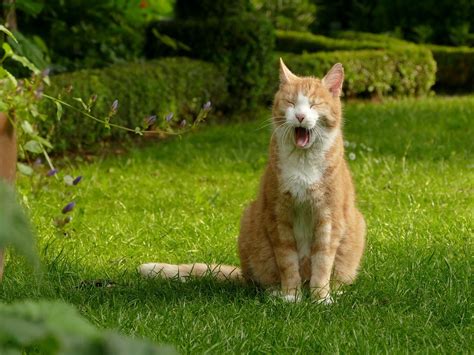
(7, 161)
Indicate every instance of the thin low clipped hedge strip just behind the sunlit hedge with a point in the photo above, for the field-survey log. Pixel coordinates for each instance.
(299, 42)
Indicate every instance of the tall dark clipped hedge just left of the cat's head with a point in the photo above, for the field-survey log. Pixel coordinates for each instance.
(242, 45)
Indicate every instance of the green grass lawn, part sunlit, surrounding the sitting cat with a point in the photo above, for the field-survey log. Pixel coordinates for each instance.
(180, 201)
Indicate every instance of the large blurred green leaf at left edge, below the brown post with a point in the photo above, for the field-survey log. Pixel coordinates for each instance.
(15, 230)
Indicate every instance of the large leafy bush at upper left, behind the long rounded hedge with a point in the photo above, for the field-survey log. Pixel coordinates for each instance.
(90, 33)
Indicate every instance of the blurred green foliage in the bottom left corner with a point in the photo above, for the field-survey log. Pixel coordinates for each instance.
(48, 327)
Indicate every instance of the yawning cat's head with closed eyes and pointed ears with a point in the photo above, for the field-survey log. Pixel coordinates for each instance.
(306, 109)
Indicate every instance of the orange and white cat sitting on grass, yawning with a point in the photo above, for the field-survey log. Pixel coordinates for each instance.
(304, 225)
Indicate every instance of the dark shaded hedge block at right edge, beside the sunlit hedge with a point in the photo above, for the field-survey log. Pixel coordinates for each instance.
(455, 68)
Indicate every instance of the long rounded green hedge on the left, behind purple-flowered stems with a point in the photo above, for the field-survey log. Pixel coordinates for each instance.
(178, 85)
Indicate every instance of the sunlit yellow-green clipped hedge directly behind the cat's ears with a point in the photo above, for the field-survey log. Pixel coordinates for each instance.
(396, 72)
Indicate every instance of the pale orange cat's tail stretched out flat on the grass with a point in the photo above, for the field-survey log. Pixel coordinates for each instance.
(184, 271)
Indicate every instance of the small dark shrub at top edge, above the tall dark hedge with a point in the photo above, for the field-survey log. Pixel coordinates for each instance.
(204, 9)
